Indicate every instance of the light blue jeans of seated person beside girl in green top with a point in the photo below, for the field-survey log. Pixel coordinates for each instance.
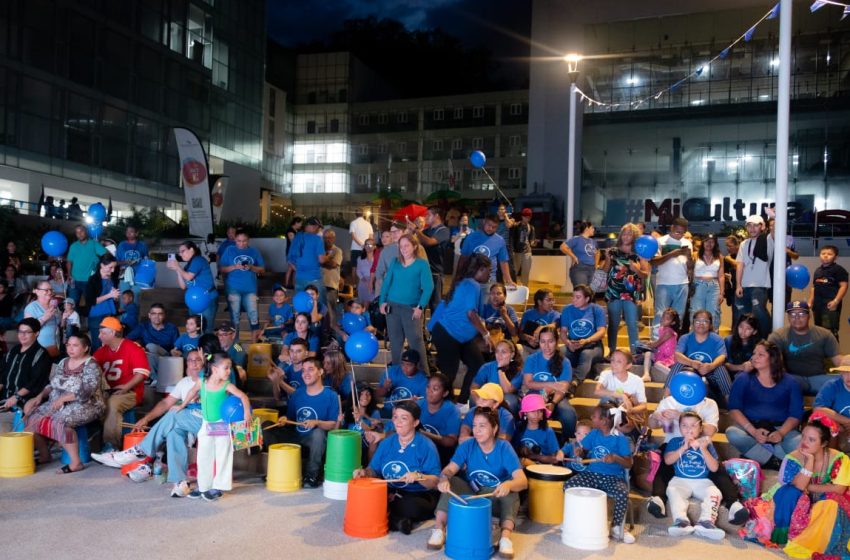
(173, 430)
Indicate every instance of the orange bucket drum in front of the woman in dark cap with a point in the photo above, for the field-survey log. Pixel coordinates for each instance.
(366, 509)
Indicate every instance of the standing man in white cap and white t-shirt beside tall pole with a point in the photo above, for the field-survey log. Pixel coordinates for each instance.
(752, 273)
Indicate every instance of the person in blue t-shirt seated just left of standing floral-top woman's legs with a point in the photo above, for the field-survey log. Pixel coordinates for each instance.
(583, 326)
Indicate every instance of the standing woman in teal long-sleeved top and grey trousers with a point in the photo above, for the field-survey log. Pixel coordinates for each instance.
(405, 292)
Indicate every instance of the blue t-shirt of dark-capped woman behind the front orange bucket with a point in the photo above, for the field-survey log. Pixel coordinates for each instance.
(392, 462)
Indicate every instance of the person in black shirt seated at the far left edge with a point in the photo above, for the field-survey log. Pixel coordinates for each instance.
(24, 371)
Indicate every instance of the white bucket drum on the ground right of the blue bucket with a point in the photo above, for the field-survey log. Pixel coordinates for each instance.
(585, 525)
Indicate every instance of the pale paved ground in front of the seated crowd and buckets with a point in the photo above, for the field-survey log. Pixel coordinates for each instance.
(97, 514)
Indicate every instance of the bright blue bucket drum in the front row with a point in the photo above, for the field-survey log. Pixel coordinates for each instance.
(468, 532)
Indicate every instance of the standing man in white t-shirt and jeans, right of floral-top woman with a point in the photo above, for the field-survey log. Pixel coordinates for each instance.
(674, 261)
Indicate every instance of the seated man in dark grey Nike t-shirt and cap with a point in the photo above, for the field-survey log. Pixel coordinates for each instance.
(806, 347)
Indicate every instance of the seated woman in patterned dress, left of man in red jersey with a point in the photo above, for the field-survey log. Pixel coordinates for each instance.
(74, 398)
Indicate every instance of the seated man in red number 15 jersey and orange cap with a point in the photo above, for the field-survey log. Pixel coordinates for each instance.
(125, 368)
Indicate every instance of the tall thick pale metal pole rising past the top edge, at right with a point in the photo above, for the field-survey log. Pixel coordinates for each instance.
(782, 133)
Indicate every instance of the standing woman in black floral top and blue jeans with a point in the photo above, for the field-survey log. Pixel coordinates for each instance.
(626, 275)
